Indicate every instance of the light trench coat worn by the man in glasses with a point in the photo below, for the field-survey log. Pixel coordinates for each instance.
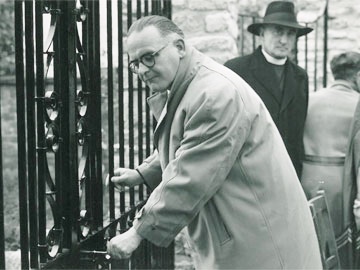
(225, 175)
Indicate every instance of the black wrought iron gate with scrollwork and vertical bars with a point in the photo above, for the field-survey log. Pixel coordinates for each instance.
(68, 105)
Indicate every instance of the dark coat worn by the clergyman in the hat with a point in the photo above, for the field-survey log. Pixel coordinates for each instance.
(287, 106)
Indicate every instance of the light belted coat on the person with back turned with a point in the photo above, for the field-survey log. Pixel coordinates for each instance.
(327, 128)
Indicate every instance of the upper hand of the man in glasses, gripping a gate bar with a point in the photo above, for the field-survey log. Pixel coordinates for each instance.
(126, 177)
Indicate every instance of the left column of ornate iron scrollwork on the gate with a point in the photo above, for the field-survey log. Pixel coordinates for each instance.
(49, 142)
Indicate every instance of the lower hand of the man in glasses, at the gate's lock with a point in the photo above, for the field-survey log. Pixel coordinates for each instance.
(121, 246)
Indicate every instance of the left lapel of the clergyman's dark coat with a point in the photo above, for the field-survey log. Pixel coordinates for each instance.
(265, 75)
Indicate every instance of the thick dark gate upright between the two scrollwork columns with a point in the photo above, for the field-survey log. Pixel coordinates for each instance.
(67, 32)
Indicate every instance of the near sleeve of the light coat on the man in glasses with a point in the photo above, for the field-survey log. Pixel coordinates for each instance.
(215, 128)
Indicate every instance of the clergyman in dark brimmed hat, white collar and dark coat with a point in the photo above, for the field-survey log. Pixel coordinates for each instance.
(281, 84)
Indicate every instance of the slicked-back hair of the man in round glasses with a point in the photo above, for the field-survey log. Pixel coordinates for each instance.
(163, 24)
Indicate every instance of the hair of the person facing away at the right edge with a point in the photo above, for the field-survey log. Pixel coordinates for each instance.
(345, 65)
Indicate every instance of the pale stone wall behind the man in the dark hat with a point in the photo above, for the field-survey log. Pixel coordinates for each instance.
(214, 27)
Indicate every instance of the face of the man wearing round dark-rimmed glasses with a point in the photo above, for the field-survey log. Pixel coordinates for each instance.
(148, 44)
